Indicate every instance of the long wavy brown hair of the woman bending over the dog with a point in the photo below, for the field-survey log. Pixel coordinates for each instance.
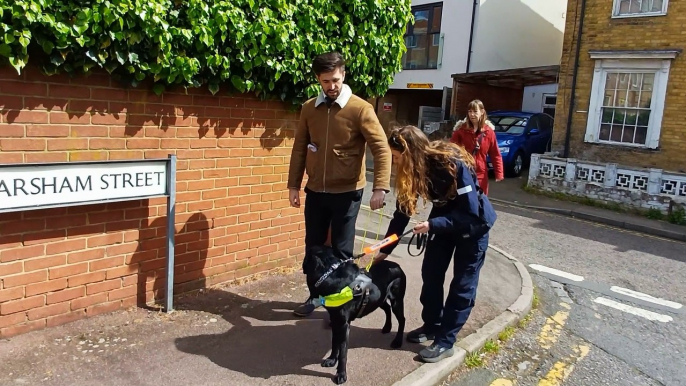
(412, 172)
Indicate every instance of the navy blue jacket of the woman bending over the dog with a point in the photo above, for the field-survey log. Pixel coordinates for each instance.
(468, 215)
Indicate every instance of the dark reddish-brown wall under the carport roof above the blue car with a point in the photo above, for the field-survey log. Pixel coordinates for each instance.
(494, 98)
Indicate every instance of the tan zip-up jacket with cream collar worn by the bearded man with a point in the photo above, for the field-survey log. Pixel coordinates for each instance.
(330, 145)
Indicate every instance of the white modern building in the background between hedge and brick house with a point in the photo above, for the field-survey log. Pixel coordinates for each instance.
(474, 37)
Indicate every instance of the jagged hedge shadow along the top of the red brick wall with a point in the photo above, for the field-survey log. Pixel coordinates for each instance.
(98, 100)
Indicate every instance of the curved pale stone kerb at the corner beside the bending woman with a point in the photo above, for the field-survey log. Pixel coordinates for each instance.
(431, 374)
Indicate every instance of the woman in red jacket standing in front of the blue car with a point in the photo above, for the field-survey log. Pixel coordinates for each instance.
(475, 133)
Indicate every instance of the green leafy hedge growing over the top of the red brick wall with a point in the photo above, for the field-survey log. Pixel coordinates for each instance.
(261, 46)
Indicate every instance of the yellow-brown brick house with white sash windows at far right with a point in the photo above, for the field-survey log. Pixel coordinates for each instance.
(628, 101)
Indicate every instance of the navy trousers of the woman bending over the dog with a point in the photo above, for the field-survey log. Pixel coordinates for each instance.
(468, 258)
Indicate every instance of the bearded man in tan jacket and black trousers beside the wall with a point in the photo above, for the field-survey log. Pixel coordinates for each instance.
(330, 145)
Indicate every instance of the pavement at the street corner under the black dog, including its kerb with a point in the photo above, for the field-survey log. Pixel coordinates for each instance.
(246, 334)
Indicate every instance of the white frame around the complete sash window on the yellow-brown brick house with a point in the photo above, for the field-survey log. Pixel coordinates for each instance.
(626, 62)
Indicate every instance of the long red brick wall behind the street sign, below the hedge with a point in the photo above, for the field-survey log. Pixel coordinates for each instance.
(233, 217)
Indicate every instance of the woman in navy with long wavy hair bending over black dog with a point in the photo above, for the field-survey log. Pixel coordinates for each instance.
(458, 229)
